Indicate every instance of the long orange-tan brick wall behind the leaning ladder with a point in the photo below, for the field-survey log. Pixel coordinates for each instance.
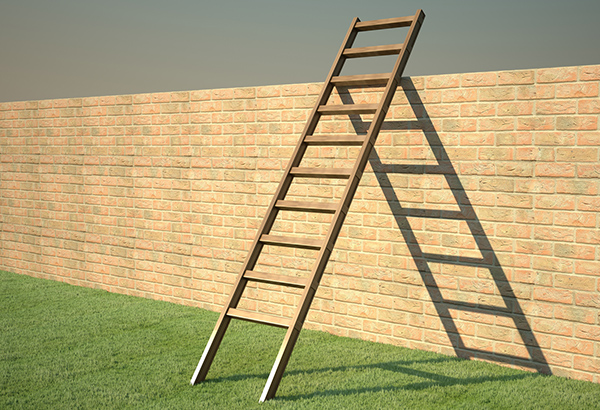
(475, 231)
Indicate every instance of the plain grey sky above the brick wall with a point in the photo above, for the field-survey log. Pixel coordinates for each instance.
(80, 48)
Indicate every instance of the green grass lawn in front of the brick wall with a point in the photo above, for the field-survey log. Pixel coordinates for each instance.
(70, 347)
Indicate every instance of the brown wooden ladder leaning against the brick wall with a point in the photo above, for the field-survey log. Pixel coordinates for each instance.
(339, 209)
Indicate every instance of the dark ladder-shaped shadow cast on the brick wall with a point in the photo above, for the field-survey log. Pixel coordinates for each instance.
(531, 355)
